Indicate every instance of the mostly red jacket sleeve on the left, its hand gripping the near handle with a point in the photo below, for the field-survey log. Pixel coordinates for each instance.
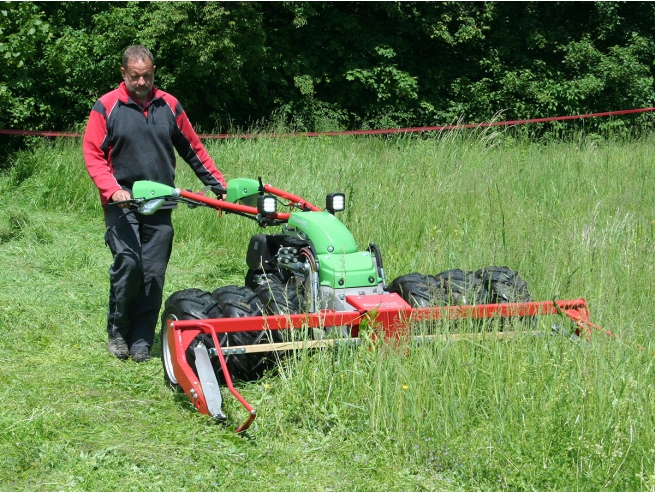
(96, 154)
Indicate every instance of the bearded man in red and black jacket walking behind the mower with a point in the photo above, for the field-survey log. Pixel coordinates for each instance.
(130, 136)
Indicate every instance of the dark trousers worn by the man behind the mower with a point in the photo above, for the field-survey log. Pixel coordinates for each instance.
(141, 245)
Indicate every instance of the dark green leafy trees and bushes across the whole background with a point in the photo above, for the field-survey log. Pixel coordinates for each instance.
(334, 65)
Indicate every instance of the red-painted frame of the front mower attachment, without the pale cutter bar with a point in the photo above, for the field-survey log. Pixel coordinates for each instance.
(389, 311)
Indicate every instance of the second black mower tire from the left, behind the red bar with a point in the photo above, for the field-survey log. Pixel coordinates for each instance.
(238, 302)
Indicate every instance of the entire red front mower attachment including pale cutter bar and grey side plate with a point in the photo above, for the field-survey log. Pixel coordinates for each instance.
(388, 313)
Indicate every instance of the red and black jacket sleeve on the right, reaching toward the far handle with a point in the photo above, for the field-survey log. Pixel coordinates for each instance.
(190, 148)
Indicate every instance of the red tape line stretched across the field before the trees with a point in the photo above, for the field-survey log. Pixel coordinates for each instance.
(417, 129)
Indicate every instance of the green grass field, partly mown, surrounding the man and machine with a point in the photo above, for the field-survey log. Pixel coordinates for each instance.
(533, 413)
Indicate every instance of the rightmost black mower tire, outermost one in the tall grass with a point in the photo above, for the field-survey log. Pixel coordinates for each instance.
(501, 285)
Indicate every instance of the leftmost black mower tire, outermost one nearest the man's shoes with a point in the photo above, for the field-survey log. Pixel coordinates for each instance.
(189, 304)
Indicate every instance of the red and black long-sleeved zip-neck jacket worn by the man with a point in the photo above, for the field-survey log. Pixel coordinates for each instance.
(124, 143)
